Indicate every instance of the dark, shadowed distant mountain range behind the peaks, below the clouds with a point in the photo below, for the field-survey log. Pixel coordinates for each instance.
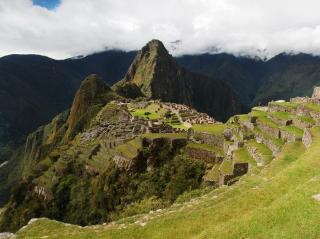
(35, 88)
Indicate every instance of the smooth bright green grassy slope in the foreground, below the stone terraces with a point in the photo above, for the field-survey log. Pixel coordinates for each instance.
(276, 203)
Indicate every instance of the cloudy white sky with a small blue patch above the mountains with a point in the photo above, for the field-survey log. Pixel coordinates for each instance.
(78, 27)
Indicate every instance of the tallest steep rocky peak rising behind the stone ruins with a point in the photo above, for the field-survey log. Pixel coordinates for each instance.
(156, 73)
